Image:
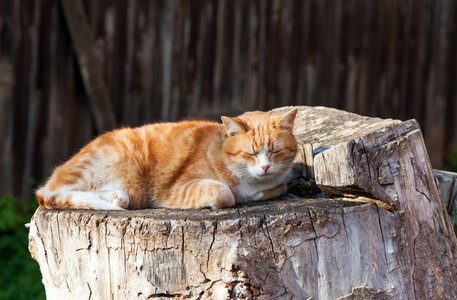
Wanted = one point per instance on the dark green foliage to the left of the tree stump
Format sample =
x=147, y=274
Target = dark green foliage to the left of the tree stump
x=20, y=274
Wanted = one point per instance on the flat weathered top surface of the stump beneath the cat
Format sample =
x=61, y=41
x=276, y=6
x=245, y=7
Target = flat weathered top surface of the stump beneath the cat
x=252, y=209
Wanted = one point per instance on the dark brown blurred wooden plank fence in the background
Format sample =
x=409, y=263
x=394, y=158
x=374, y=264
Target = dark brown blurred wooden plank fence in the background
x=167, y=60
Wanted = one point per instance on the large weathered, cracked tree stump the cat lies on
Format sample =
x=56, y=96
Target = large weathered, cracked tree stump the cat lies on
x=383, y=233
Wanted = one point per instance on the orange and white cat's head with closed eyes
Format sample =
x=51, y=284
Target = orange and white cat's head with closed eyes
x=259, y=146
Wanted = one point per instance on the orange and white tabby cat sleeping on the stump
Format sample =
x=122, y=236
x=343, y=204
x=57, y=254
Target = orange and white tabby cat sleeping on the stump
x=189, y=164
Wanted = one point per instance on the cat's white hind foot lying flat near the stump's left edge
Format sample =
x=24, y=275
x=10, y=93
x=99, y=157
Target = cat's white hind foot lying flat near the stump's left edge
x=64, y=199
